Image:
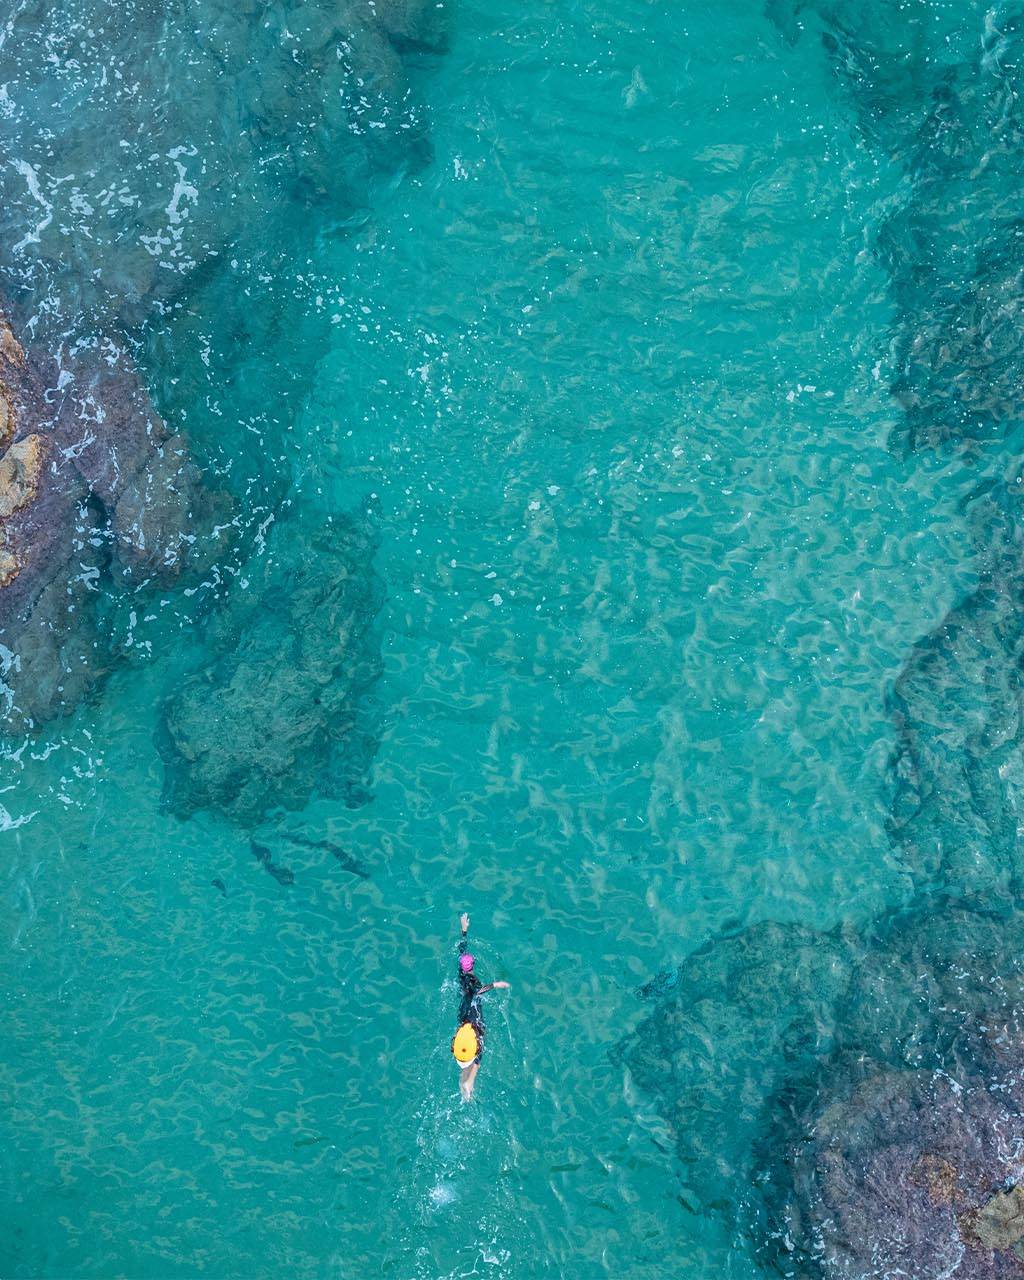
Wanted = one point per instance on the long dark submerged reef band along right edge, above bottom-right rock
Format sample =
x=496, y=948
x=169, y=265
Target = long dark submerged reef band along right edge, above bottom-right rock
x=947, y=117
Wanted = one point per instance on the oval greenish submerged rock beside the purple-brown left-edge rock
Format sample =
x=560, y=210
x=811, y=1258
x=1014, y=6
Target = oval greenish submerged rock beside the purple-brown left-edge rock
x=277, y=714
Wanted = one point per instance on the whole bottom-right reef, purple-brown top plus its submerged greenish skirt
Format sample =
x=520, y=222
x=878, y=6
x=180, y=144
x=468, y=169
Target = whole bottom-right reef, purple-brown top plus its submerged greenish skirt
x=853, y=1101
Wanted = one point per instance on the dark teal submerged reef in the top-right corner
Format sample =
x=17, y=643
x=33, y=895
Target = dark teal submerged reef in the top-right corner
x=941, y=107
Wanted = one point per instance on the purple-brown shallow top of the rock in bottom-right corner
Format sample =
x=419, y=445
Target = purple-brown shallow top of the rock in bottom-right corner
x=898, y=1180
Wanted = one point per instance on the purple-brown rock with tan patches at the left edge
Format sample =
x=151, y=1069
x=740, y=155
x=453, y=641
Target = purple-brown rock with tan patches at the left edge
x=94, y=491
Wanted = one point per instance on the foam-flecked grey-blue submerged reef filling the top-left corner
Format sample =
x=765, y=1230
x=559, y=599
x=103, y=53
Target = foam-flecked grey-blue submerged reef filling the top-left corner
x=294, y=107
